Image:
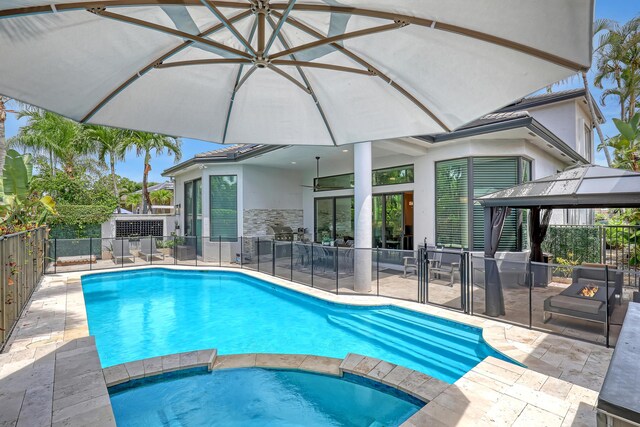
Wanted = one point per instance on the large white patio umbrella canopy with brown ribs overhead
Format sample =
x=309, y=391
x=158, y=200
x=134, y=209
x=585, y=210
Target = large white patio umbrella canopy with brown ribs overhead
x=317, y=72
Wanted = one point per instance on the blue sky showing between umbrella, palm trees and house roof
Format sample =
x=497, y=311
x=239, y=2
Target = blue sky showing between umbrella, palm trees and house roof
x=618, y=10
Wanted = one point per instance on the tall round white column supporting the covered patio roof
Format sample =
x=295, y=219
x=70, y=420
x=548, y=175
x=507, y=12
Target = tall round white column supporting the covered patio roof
x=363, y=214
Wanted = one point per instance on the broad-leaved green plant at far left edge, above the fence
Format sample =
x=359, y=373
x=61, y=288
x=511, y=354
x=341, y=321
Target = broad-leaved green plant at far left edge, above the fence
x=20, y=207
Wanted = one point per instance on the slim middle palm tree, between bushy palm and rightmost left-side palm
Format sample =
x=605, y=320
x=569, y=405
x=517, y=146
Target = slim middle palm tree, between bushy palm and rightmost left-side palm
x=110, y=142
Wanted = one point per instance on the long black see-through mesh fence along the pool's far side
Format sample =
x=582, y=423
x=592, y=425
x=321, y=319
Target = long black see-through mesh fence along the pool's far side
x=587, y=302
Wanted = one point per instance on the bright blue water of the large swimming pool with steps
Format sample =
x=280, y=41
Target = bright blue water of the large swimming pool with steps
x=147, y=313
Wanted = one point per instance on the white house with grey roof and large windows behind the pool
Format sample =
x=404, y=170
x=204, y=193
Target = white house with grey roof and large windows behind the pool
x=421, y=187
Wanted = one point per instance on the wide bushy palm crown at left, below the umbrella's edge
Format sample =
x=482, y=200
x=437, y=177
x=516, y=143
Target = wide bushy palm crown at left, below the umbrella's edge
x=62, y=140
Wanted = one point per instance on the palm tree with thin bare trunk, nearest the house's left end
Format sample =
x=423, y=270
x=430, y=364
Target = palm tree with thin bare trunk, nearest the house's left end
x=145, y=143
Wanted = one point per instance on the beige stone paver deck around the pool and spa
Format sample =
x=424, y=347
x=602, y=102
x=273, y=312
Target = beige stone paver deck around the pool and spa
x=47, y=372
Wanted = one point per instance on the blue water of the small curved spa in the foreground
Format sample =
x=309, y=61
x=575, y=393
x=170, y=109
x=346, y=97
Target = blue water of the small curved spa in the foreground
x=257, y=397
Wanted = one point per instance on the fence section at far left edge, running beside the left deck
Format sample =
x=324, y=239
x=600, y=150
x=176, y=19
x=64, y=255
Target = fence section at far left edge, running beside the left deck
x=24, y=261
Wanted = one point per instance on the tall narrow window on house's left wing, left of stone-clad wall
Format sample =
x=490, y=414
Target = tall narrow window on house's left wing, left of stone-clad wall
x=223, y=202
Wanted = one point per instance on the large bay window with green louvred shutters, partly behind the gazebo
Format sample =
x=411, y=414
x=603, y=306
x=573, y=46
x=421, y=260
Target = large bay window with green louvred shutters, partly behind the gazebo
x=460, y=220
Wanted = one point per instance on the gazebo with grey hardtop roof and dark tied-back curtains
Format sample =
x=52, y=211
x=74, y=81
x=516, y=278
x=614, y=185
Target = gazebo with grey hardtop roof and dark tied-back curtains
x=586, y=186
